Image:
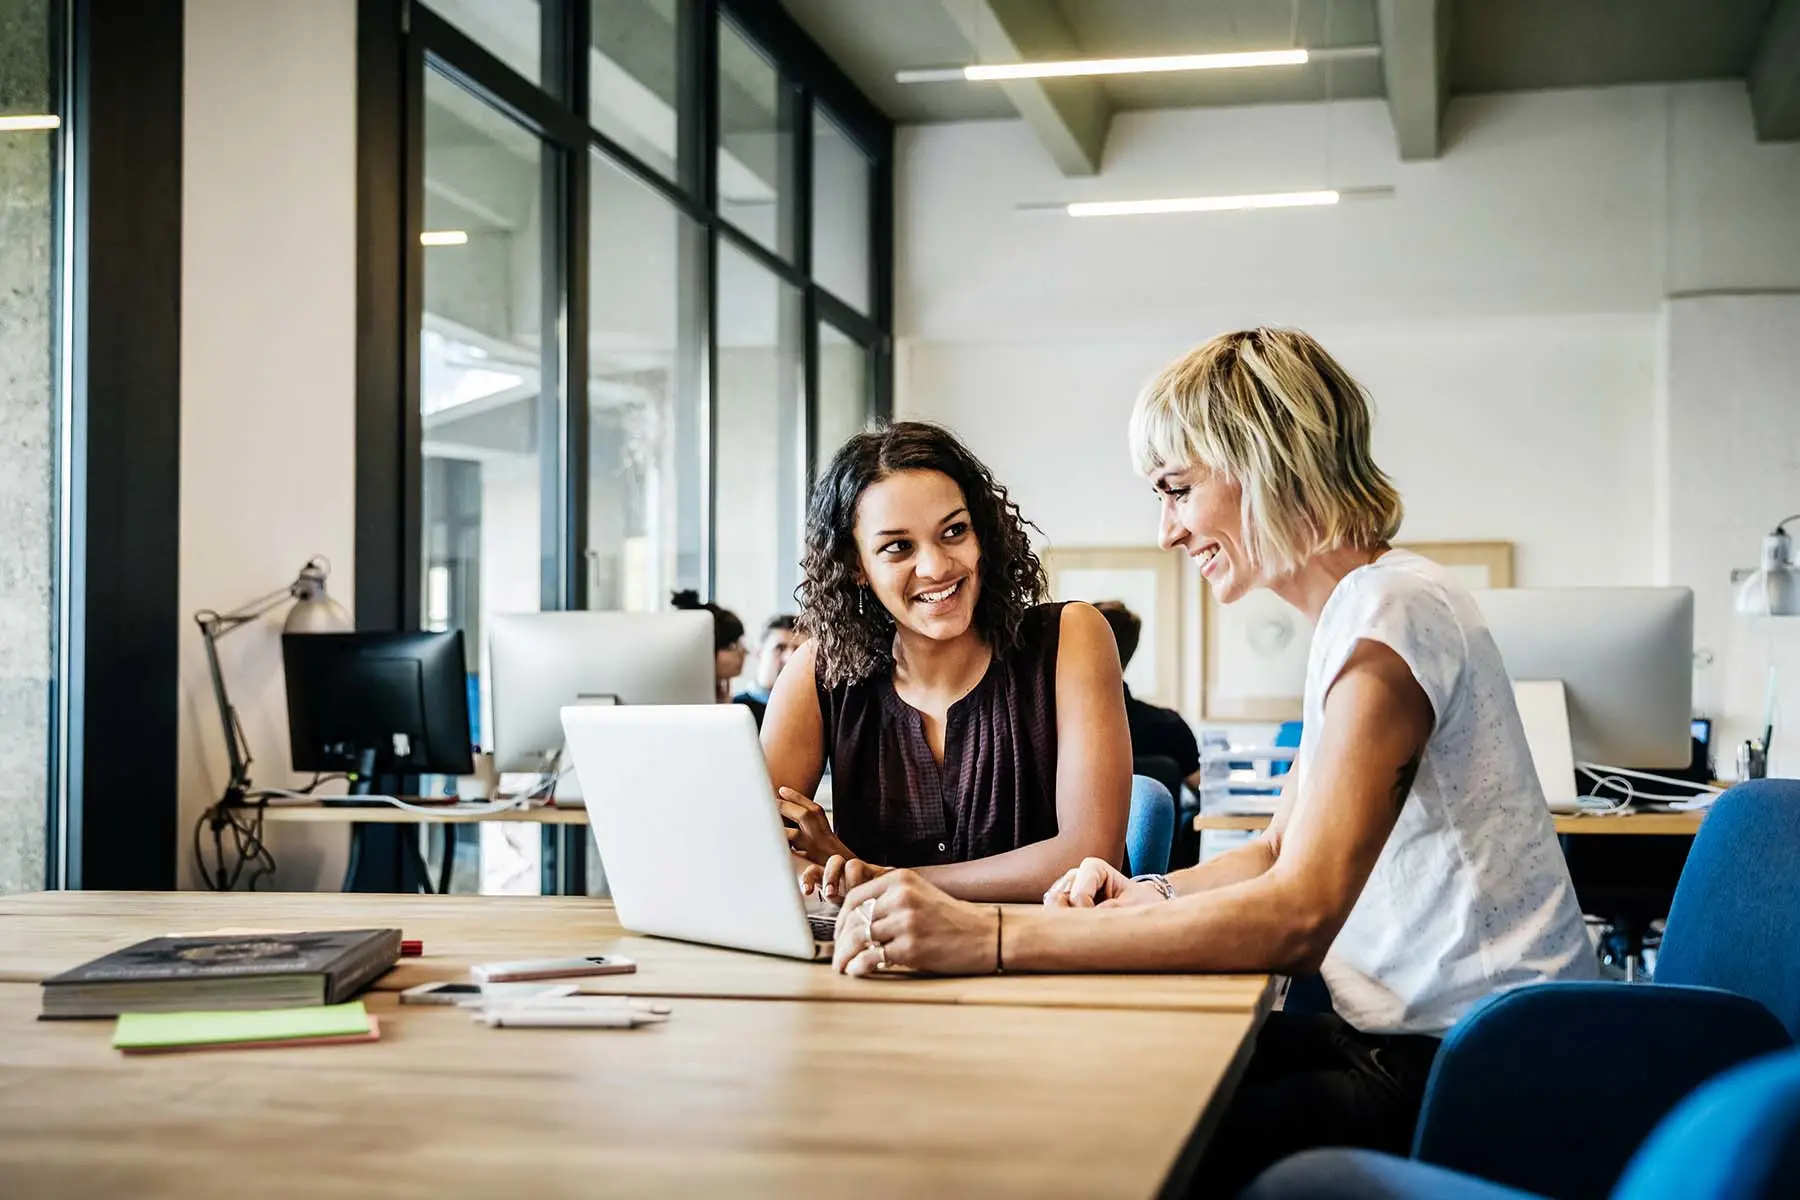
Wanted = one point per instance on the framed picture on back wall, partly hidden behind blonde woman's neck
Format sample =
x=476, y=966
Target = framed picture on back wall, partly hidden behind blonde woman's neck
x=1255, y=652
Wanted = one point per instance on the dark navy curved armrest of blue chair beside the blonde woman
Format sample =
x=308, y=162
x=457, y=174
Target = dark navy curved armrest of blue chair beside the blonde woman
x=1552, y=1088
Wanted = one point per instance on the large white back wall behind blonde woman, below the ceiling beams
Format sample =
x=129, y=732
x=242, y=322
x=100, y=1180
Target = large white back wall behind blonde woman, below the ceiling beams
x=1506, y=307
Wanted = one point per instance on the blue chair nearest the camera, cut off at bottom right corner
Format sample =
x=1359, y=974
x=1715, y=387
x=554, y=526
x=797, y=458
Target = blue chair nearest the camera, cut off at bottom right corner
x=1738, y=1138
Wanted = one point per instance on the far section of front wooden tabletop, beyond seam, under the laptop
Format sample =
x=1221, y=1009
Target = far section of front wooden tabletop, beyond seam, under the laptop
x=49, y=933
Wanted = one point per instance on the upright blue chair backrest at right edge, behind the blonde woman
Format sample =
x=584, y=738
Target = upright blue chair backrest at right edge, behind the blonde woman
x=1736, y=917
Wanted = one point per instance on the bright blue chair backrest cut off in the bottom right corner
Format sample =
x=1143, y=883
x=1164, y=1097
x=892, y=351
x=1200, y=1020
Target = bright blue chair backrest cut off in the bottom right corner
x=1736, y=1138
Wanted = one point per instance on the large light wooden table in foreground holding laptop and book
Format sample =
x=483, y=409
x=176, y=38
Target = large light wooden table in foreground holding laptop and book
x=994, y=1088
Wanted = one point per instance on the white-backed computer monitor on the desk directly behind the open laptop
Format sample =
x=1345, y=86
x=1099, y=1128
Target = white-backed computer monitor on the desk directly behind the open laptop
x=543, y=661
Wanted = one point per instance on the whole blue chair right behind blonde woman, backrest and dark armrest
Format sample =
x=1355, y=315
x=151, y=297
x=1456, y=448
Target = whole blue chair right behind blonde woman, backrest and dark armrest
x=1552, y=1088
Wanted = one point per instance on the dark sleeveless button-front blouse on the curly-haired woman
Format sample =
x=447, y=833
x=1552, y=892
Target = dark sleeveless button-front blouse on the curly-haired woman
x=996, y=789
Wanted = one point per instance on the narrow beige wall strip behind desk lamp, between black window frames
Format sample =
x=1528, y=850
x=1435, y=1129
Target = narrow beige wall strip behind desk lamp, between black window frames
x=269, y=355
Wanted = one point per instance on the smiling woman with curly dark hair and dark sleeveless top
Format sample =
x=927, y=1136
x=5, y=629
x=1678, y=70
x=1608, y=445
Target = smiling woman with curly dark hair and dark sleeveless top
x=973, y=731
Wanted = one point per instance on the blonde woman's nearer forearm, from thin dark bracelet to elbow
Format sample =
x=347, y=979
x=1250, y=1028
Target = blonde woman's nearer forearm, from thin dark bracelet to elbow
x=1252, y=927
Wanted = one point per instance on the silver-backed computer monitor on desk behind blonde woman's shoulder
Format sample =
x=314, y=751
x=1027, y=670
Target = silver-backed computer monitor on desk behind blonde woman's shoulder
x=1626, y=661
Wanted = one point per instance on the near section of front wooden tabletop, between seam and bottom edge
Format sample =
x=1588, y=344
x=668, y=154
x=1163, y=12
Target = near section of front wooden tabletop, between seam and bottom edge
x=730, y=1098
